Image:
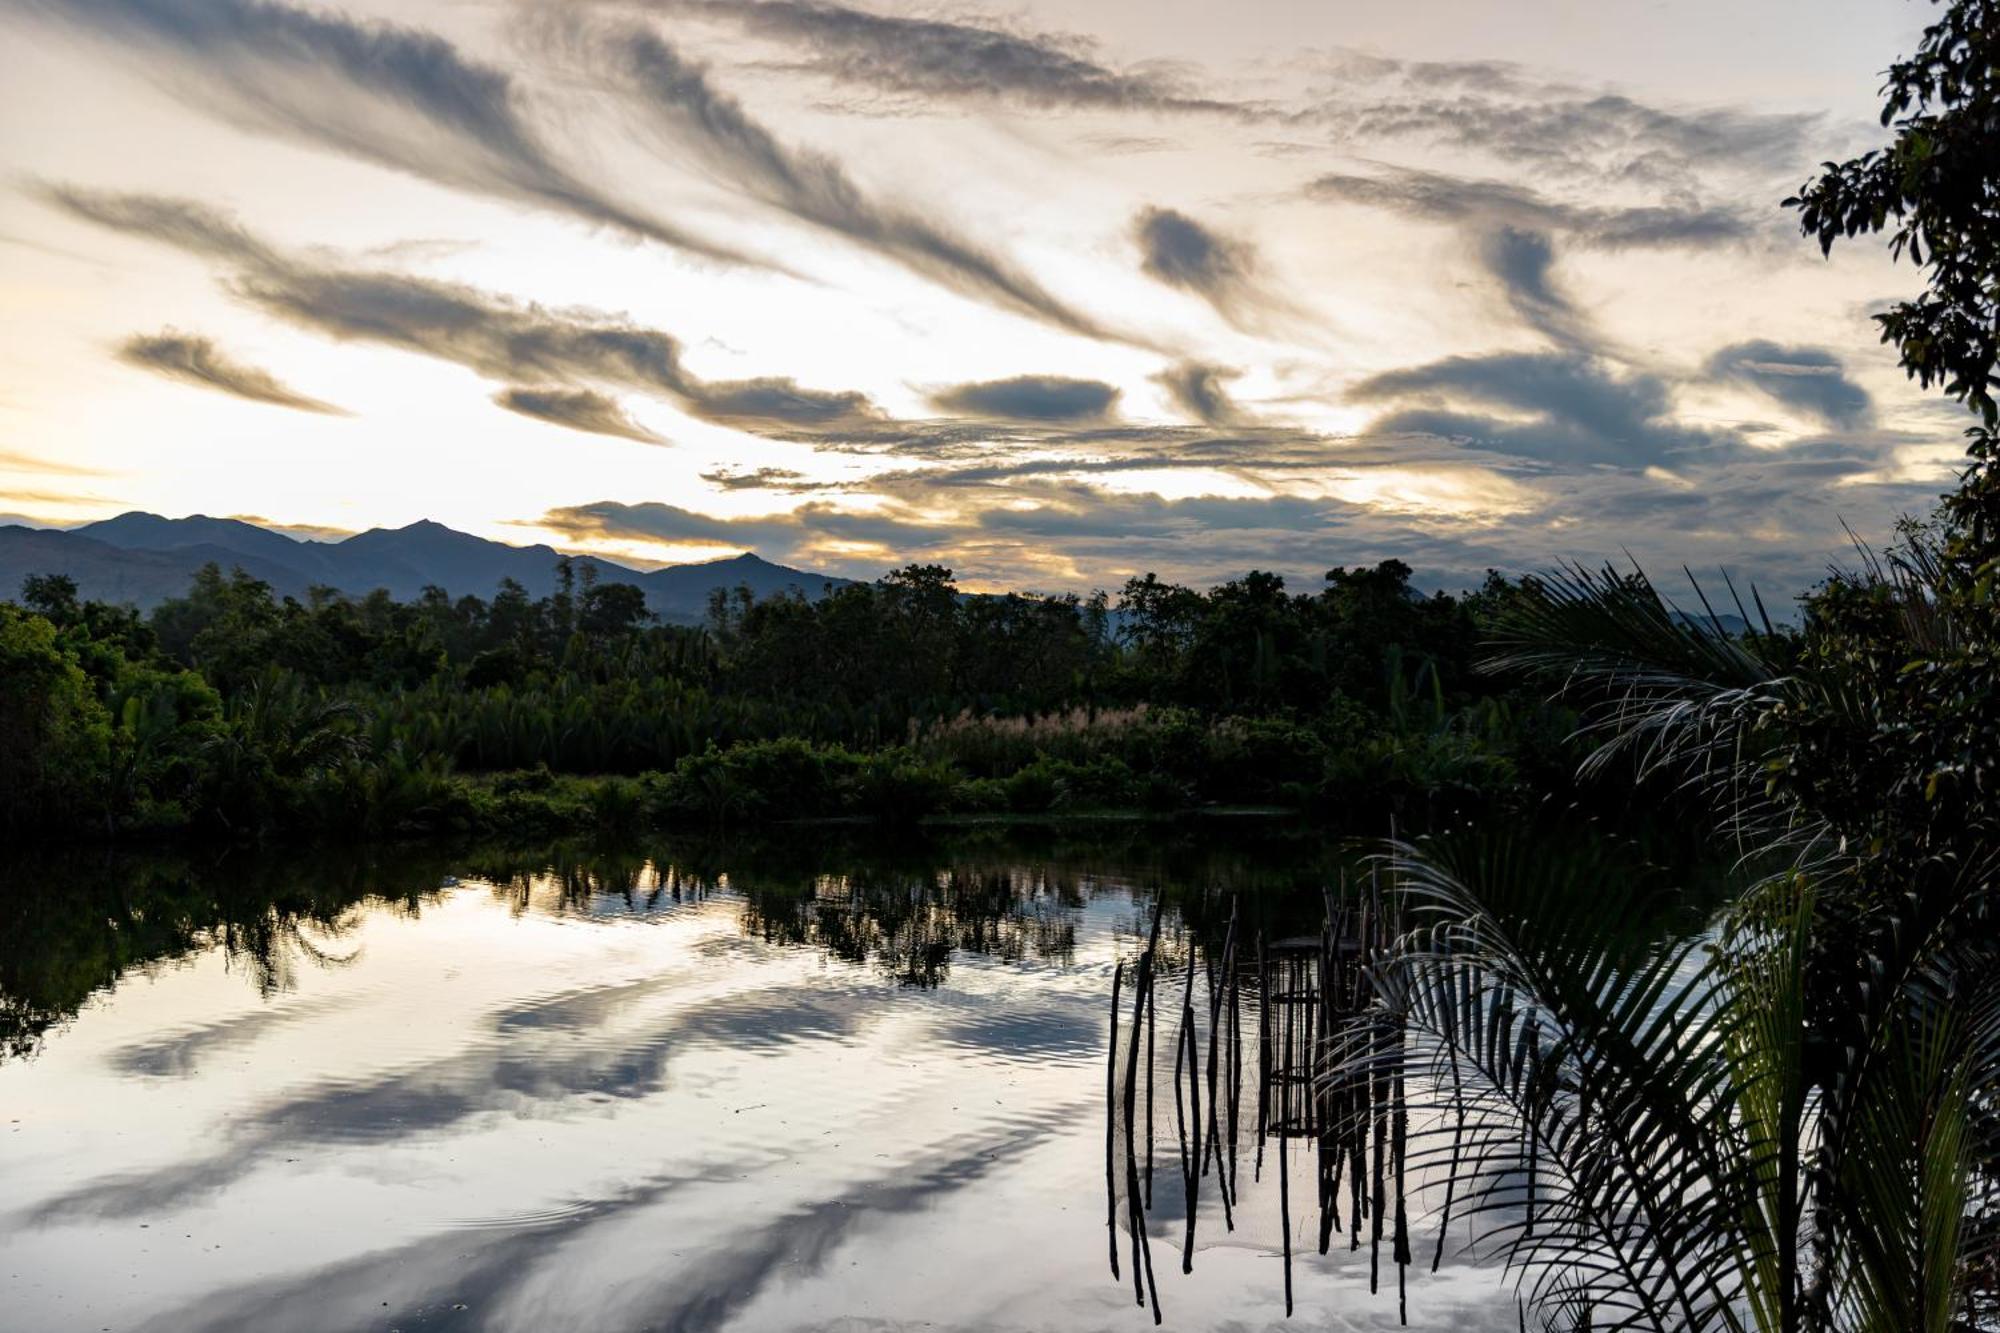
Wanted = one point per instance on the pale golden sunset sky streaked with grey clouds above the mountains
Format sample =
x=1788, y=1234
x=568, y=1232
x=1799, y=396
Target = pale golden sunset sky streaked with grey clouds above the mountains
x=1049, y=293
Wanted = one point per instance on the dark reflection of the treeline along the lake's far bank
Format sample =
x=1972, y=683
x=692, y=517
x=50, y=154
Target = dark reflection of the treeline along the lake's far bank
x=73, y=924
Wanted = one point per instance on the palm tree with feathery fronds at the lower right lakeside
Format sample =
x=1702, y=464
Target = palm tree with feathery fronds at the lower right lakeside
x=1783, y=1120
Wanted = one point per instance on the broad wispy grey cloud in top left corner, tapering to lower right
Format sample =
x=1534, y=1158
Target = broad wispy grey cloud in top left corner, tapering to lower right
x=381, y=93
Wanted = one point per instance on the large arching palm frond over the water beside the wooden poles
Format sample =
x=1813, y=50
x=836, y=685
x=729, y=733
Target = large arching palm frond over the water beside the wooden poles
x=1571, y=1060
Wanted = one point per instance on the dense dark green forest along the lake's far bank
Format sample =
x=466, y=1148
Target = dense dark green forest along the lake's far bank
x=237, y=714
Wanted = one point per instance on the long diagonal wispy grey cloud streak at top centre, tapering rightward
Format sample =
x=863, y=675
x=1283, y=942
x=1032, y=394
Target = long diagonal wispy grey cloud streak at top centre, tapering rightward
x=813, y=187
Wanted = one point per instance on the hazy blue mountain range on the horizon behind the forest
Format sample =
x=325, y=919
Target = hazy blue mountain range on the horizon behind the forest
x=145, y=559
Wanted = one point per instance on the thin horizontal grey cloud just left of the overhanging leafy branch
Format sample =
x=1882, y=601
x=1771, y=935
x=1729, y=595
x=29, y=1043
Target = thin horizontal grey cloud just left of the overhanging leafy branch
x=1491, y=205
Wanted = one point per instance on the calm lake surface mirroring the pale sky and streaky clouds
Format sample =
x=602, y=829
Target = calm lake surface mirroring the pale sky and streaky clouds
x=801, y=1084
